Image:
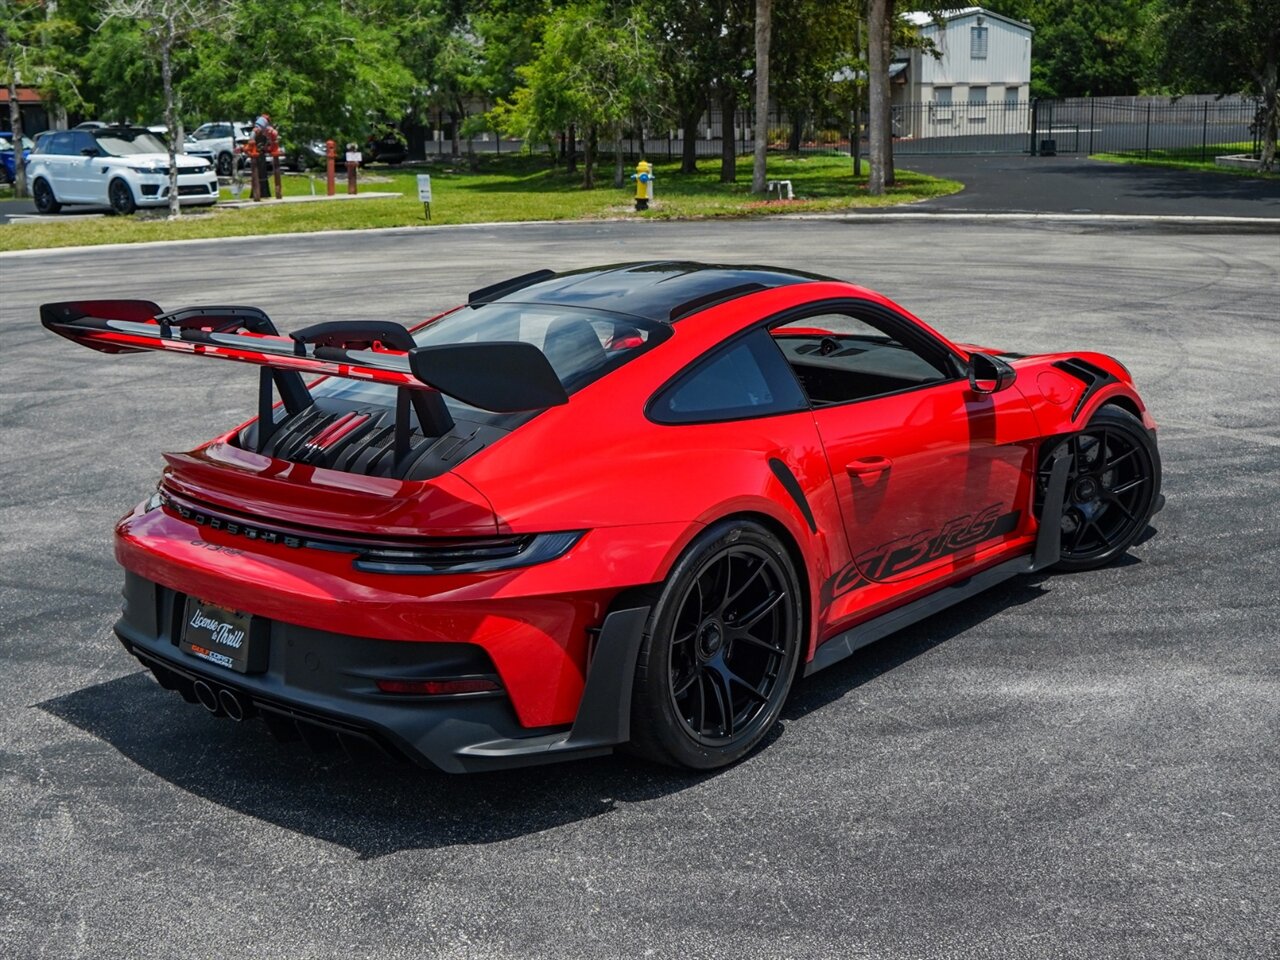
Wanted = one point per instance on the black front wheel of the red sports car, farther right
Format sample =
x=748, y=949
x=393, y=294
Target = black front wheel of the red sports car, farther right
x=1113, y=484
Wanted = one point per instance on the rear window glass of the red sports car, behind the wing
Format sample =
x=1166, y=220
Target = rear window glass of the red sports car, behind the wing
x=582, y=345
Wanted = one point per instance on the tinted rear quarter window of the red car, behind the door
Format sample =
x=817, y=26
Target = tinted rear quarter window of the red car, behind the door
x=744, y=380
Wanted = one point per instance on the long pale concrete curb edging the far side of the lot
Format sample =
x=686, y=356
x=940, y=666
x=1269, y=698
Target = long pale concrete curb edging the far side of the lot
x=1261, y=225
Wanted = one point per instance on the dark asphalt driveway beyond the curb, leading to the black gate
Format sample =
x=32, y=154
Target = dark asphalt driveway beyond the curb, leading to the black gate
x=1069, y=185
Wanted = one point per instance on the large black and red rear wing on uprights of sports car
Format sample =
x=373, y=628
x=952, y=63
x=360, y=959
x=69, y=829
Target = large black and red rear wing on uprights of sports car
x=500, y=377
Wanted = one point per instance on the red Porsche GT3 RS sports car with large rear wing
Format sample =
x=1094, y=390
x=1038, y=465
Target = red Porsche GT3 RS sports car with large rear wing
x=619, y=506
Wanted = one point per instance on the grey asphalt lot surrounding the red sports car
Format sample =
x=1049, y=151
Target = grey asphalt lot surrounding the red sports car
x=1064, y=767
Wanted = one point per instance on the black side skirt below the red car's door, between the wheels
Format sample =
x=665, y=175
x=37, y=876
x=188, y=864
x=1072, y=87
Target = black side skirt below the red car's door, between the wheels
x=1046, y=554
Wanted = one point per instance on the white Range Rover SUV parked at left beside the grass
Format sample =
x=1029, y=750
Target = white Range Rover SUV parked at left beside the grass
x=126, y=167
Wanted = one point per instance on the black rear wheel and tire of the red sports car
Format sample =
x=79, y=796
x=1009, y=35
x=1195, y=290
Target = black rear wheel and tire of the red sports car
x=720, y=652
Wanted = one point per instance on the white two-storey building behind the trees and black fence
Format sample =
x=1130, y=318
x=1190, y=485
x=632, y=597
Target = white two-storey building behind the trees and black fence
x=980, y=85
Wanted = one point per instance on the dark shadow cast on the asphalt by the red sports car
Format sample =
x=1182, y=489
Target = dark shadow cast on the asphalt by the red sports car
x=377, y=808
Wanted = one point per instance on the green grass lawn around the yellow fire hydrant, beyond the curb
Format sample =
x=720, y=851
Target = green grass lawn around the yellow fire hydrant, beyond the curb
x=499, y=189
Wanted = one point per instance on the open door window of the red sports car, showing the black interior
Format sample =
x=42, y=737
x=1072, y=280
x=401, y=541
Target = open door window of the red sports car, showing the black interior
x=849, y=356
